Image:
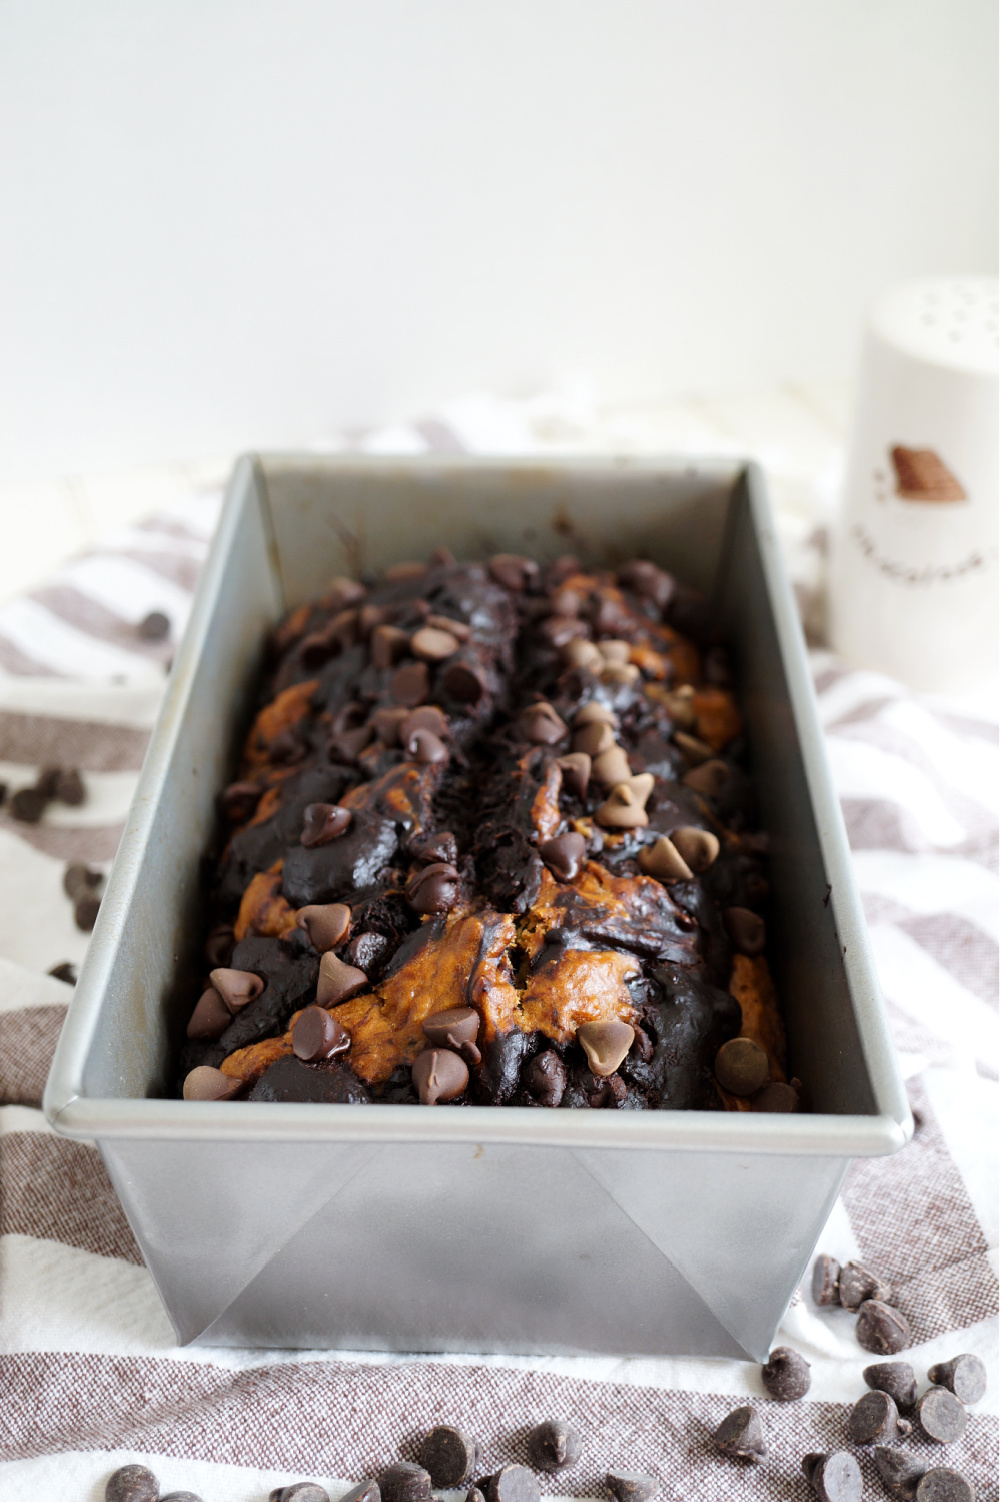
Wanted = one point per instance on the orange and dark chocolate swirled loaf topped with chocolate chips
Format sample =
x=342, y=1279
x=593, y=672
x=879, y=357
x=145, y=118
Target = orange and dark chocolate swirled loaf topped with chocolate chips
x=493, y=842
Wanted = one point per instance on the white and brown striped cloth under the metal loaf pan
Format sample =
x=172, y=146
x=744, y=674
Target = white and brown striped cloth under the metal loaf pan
x=89, y=1371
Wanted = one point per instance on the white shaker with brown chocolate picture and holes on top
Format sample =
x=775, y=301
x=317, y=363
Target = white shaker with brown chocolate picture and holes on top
x=914, y=566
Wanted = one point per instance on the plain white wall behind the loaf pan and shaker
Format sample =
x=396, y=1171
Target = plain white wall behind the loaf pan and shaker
x=255, y=222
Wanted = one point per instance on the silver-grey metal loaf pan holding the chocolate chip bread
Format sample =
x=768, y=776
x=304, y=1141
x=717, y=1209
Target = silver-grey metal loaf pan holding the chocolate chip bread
x=481, y=1229
